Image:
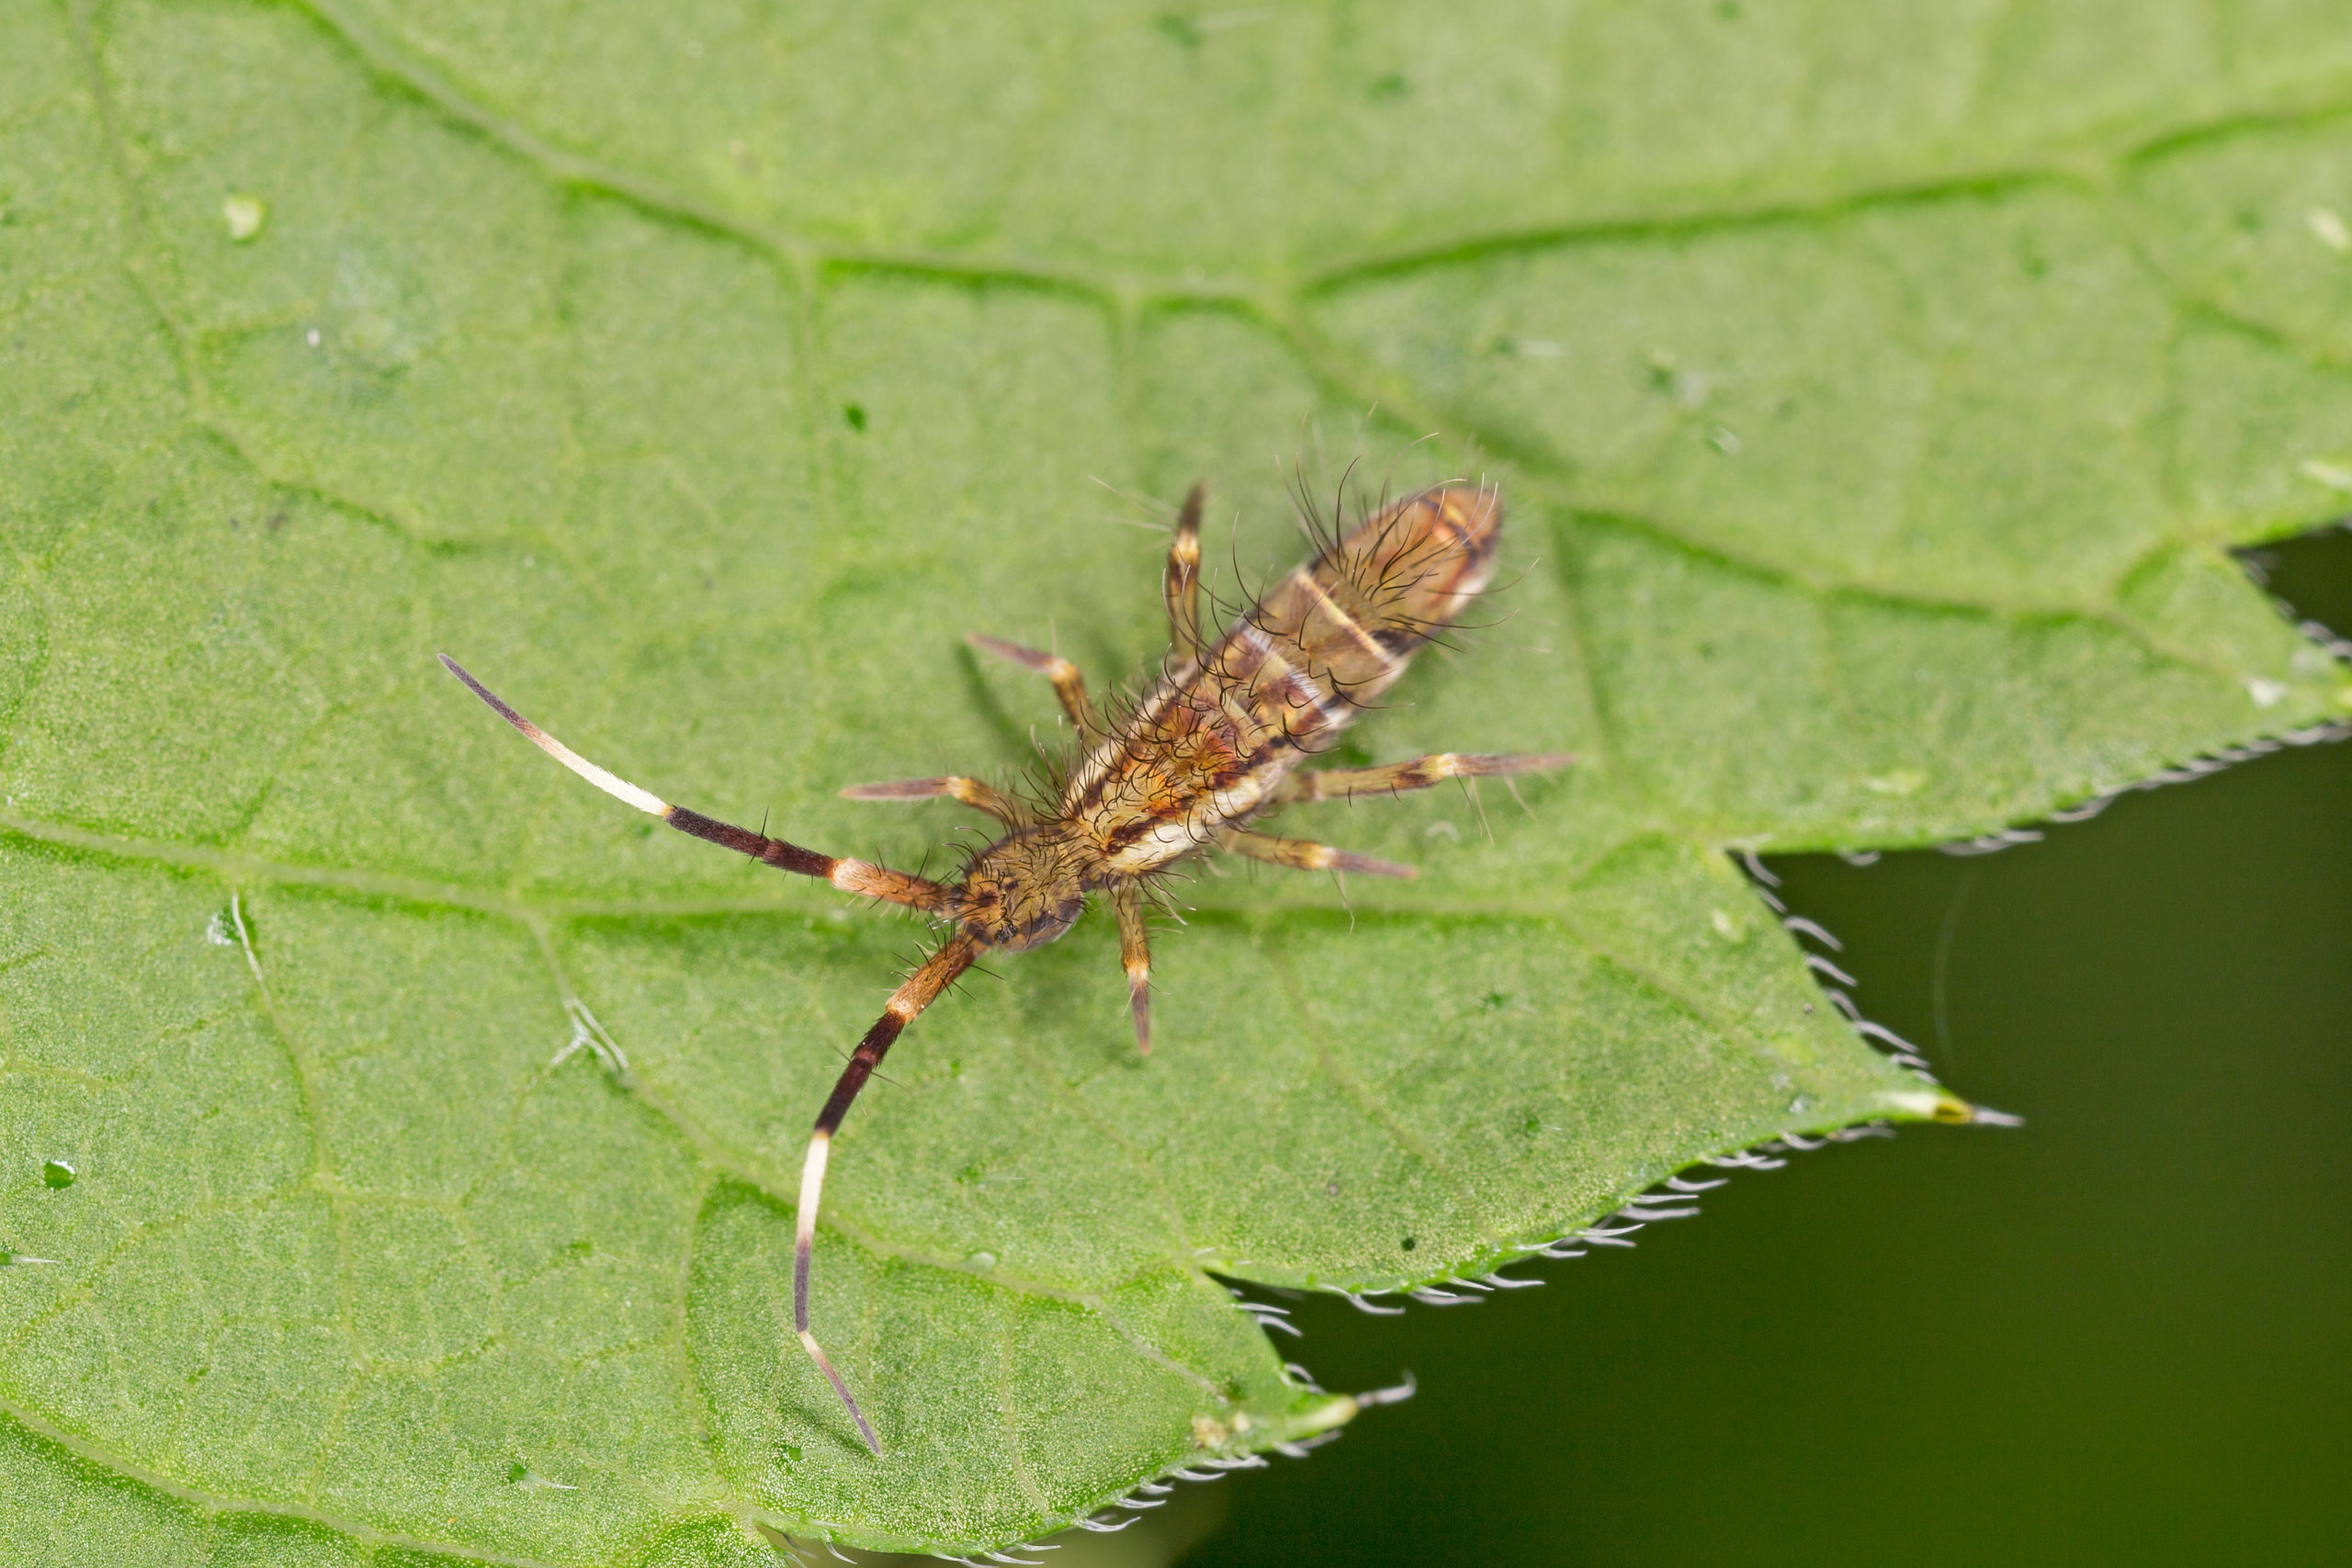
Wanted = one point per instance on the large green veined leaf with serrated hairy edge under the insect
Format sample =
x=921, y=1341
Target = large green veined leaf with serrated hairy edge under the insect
x=1876, y=398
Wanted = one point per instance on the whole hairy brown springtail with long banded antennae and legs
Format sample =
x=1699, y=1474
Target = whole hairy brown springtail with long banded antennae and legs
x=1187, y=765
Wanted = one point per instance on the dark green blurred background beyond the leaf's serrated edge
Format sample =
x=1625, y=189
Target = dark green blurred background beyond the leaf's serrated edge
x=2118, y=1334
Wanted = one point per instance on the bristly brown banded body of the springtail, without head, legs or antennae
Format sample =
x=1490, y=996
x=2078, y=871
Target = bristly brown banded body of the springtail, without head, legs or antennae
x=1215, y=742
